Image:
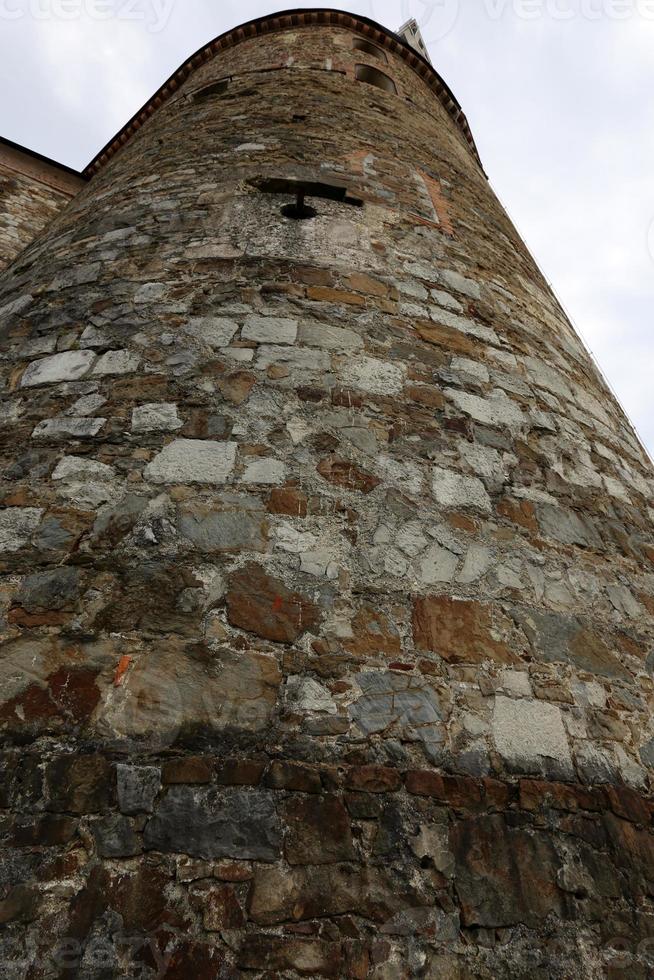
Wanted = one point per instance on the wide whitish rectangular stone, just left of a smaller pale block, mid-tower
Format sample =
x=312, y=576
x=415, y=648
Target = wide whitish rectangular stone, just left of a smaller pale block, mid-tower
x=193, y=461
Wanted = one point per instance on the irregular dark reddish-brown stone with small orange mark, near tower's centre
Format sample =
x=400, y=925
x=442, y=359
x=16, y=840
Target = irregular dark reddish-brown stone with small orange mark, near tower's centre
x=261, y=604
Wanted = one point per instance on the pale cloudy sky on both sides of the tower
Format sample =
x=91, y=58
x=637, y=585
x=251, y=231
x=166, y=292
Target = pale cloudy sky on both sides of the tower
x=558, y=94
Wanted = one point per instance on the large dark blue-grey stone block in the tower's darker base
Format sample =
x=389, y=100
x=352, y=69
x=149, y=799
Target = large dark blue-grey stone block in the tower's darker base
x=211, y=824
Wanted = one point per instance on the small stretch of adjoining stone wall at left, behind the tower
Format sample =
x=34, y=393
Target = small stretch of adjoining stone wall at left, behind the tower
x=32, y=192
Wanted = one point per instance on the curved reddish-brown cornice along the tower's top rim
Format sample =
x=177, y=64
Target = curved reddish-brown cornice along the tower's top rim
x=283, y=21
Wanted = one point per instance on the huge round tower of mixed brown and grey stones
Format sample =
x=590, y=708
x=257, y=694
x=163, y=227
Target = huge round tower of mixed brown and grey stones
x=327, y=592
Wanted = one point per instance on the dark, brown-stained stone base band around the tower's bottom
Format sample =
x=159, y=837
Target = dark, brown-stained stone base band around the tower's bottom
x=211, y=866
